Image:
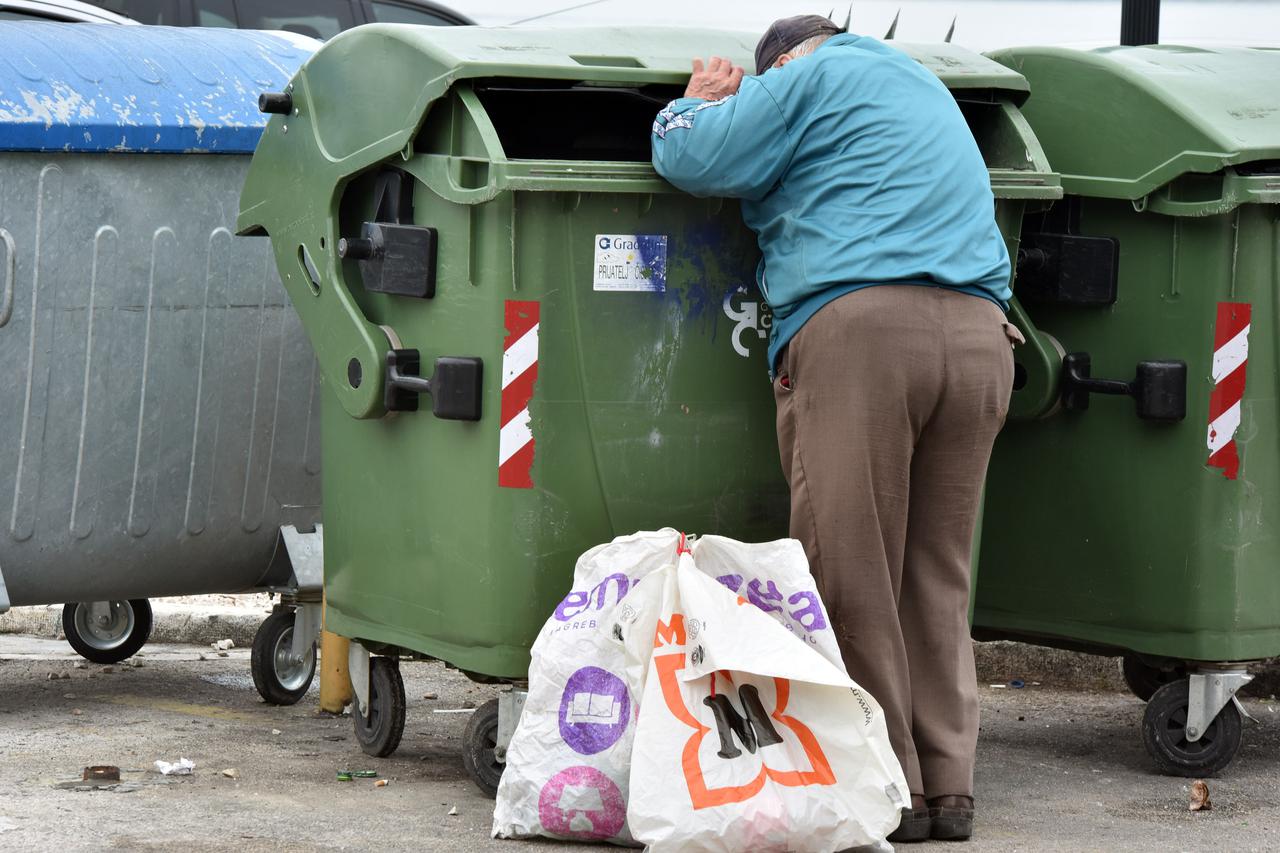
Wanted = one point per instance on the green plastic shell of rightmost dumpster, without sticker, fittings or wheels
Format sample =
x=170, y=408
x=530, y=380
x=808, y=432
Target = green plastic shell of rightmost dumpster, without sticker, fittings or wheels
x=1104, y=532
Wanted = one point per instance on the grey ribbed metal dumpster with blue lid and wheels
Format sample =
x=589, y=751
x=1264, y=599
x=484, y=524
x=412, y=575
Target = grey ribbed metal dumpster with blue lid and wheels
x=159, y=400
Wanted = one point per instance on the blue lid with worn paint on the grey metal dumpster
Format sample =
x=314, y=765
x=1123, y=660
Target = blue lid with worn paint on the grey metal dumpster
x=100, y=88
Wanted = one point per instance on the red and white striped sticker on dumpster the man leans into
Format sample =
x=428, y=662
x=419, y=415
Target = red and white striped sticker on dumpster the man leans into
x=519, y=376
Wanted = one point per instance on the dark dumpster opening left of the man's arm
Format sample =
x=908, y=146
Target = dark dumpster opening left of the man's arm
x=584, y=122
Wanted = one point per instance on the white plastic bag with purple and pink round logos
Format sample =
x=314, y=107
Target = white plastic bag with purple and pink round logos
x=570, y=759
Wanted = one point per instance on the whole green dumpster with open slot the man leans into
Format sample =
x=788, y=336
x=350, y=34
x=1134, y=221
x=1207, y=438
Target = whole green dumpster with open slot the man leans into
x=529, y=343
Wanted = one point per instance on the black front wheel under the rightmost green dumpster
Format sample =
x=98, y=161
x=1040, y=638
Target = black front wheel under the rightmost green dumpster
x=1164, y=733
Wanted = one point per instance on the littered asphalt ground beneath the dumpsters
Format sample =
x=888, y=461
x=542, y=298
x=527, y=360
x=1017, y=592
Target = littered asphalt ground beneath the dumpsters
x=1058, y=769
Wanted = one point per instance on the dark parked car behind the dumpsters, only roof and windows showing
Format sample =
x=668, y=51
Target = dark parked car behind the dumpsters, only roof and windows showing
x=316, y=19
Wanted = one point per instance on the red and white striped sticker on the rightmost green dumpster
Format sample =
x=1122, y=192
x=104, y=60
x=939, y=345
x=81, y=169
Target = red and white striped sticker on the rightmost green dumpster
x=1231, y=359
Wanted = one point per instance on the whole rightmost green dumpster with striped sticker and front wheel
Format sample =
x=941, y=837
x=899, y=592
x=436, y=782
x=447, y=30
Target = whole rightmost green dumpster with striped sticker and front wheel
x=1146, y=528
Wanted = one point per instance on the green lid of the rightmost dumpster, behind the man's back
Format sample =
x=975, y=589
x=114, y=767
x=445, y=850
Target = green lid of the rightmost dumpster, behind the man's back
x=1123, y=122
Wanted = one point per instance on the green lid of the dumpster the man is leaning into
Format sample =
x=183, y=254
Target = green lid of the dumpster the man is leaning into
x=400, y=71
